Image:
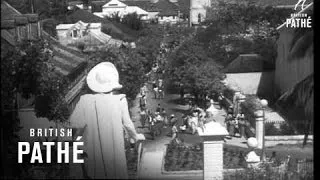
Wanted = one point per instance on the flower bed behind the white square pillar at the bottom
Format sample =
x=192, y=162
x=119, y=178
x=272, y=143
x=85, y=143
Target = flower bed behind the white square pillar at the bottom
x=186, y=158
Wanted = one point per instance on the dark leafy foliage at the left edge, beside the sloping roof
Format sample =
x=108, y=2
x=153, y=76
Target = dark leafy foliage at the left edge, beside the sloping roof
x=28, y=71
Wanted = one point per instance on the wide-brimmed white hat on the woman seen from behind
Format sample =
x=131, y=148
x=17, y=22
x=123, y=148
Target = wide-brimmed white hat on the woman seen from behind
x=103, y=78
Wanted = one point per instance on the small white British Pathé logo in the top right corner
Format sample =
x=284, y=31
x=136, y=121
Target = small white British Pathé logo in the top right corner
x=299, y=20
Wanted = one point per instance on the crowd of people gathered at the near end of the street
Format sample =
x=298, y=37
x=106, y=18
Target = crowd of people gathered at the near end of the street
x=195, y=118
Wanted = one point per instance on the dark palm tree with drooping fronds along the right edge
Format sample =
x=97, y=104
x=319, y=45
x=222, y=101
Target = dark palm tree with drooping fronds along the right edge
x=302, y=93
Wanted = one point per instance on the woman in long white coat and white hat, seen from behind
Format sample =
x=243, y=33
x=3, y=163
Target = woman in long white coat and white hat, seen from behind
x=104, y=114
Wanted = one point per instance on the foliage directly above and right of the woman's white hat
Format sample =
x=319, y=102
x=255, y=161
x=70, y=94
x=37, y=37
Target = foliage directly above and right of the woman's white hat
x=130, y=66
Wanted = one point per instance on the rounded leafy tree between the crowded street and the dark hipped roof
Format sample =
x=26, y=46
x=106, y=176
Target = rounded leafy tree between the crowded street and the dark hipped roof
x=191, y=66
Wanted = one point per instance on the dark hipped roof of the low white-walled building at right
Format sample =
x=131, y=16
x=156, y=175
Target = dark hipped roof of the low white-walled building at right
x=245, y=63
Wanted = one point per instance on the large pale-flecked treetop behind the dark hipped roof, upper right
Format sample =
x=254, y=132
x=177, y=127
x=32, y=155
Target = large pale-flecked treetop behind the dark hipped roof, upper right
x=242, y=28
